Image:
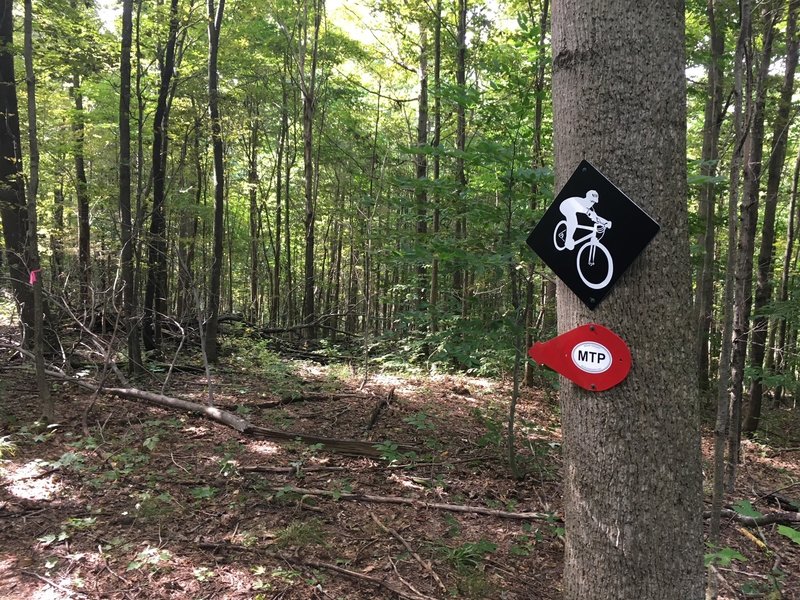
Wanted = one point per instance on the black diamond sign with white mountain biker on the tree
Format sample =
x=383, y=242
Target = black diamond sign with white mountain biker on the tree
x=591, y=234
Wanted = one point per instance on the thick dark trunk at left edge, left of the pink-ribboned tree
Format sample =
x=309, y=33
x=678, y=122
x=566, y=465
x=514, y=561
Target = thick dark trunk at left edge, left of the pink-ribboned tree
x=13, y=210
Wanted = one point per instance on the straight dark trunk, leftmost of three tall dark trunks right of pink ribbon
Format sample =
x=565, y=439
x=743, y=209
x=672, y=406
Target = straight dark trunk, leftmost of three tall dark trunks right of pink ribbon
x=126, y=222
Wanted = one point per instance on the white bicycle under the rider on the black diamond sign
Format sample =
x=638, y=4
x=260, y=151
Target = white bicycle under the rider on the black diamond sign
x=595, y=270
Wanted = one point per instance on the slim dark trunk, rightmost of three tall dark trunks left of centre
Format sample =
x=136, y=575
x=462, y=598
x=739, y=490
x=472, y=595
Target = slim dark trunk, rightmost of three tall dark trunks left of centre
x=214, y=26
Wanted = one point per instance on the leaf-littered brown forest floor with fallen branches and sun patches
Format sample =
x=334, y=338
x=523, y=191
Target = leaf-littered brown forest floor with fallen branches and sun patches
x=158, y=504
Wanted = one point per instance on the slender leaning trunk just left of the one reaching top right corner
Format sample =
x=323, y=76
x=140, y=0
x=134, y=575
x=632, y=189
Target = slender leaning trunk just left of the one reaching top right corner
x=748, y=219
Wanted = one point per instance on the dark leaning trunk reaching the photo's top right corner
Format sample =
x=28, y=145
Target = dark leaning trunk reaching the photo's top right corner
x=777, y=159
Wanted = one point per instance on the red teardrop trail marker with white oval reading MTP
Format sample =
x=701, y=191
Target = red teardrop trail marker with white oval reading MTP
x=591, y=356
